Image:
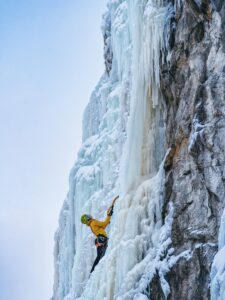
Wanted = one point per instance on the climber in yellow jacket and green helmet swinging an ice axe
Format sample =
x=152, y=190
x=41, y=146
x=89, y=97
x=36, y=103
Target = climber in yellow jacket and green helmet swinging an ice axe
x=98, y=228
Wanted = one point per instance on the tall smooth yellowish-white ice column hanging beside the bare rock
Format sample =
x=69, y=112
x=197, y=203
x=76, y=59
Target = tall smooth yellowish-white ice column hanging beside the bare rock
x=144, y=148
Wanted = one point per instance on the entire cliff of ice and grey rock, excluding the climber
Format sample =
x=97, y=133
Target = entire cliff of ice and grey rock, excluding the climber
x=153, y=132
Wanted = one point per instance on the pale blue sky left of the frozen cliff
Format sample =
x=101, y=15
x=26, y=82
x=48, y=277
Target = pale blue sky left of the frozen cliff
x=50, y=61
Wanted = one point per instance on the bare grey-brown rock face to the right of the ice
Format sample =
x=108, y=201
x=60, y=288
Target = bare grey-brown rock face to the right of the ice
x=193, y=83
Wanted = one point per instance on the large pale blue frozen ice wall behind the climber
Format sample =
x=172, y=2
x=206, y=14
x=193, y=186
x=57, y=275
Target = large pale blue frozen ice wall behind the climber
x=122, y=153
